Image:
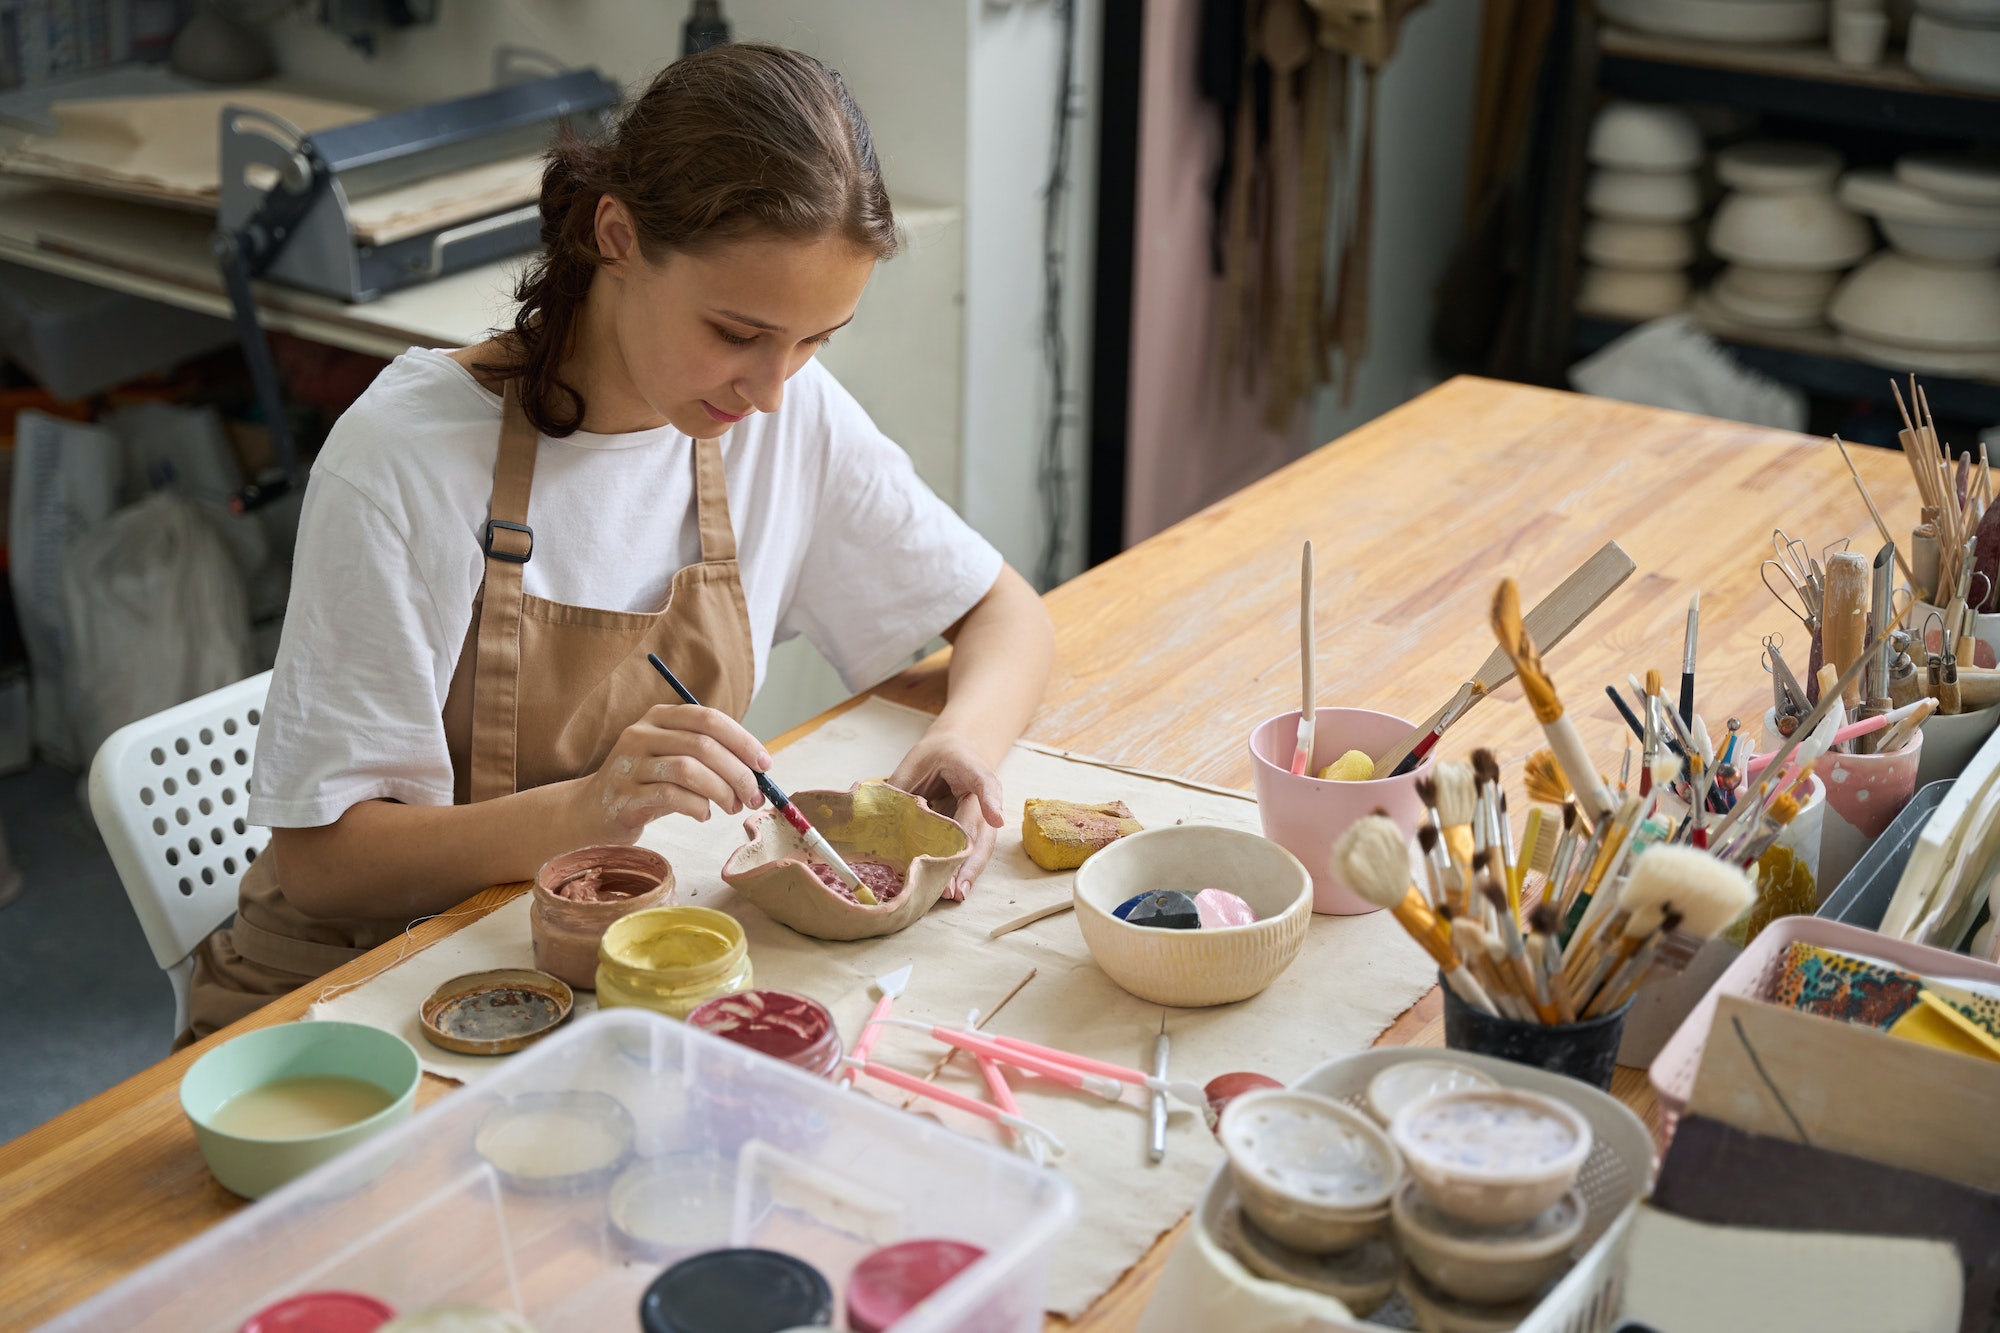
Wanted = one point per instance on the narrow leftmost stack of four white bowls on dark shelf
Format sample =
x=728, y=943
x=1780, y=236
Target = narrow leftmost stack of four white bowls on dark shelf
x=1643, y=201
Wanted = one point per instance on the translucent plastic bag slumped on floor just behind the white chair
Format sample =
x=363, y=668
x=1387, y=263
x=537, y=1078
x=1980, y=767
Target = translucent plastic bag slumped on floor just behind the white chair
x=157, y=615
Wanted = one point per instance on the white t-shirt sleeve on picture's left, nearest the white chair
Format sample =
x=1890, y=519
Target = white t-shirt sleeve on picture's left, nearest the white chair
x=355, y=710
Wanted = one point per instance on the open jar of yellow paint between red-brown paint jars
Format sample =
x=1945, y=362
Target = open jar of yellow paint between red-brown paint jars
x=671, y=960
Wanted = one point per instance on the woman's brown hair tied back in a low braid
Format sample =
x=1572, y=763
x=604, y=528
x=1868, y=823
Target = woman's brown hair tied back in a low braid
x=735, y=141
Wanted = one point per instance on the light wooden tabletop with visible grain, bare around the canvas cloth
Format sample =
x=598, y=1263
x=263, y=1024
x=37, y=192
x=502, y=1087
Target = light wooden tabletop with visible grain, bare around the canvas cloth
x=1167, y=659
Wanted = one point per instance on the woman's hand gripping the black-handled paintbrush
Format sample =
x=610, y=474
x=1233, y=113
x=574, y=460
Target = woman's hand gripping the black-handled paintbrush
x=679, y=760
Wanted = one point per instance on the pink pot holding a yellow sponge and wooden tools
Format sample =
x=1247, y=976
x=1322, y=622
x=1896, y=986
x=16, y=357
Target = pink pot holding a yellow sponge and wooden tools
x=1307, y=816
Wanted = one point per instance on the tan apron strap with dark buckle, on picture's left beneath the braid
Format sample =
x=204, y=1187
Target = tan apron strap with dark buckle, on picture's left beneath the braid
x=509, y=545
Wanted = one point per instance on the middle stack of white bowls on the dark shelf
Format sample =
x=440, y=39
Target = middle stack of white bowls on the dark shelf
x=1783, y=233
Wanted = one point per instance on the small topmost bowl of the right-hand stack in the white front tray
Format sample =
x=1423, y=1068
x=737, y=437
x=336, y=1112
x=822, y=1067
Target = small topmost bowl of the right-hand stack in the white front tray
x=1493, y=1156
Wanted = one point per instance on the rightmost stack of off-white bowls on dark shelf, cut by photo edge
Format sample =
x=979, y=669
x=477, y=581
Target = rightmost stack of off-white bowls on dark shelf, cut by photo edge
x=1931, y=303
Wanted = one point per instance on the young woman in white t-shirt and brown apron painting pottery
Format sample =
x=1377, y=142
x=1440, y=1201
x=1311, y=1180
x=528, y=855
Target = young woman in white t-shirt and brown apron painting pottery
x=649, y=461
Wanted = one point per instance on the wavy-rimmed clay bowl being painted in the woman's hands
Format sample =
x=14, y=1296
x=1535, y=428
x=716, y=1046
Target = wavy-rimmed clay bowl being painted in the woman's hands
x=871, y=822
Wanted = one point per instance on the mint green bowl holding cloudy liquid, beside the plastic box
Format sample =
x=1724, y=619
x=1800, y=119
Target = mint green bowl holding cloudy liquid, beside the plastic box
x=253, y=1168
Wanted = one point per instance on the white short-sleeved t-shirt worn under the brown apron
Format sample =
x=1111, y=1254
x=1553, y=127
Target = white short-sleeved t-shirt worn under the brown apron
x=837, y=539
